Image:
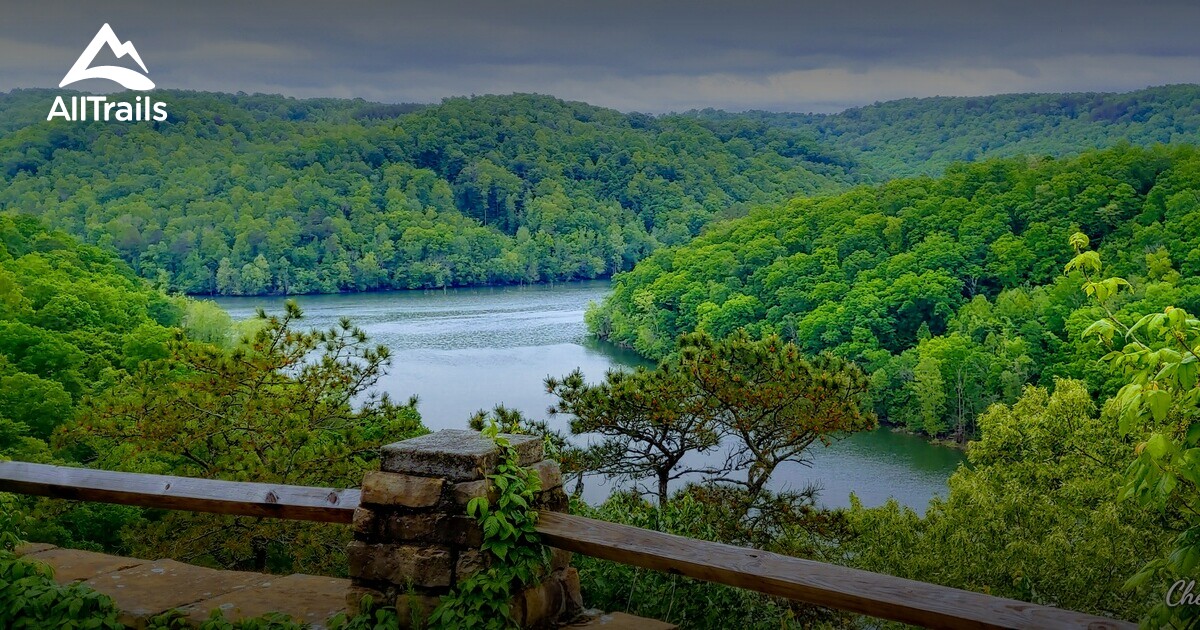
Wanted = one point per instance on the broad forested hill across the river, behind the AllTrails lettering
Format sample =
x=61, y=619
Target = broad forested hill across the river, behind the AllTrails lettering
x=250, y=195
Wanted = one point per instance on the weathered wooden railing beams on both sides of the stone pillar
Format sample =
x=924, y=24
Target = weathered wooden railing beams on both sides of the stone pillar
x=820, y=584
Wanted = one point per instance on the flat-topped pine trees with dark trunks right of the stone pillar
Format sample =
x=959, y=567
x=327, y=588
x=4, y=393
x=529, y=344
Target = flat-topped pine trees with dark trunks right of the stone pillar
x=760, y=399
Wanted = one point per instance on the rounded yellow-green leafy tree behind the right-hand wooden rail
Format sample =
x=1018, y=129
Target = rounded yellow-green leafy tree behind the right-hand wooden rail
x=1035, y=517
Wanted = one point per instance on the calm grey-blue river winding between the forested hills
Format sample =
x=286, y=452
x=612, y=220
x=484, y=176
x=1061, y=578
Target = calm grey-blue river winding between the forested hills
x=460, y=351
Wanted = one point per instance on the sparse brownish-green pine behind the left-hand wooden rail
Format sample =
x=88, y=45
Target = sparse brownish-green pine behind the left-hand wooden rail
x=285, y=406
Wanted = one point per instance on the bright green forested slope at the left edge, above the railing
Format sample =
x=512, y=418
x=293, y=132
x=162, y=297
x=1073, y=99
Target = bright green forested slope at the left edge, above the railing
x=74, y=321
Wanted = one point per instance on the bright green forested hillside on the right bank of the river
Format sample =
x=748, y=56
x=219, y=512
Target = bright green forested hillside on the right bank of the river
x=950, y=291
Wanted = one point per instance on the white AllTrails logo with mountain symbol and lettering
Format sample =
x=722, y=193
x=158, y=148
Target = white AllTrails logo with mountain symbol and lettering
x=141, y=110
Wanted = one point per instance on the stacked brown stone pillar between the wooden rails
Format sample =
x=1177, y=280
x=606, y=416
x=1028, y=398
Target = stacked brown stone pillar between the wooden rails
x=413, y=539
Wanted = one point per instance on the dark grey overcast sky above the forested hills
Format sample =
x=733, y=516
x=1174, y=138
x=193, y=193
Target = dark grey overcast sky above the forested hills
x=633, y=56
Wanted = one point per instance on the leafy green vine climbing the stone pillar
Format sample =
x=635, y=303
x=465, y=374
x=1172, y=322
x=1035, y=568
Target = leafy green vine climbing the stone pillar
x=513, y=556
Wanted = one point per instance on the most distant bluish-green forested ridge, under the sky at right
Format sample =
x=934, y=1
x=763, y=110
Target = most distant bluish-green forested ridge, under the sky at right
x=925, y=136
